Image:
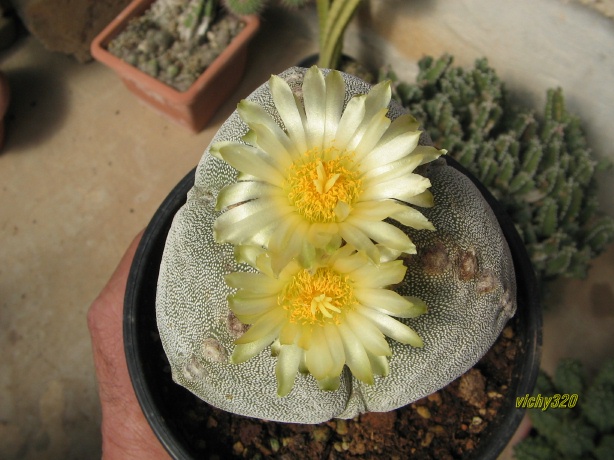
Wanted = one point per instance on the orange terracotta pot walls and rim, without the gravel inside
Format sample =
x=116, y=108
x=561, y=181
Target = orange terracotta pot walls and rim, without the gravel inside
x=192, y=108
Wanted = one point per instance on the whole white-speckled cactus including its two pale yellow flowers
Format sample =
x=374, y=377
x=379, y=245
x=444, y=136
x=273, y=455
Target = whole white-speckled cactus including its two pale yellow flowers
x=326, y=263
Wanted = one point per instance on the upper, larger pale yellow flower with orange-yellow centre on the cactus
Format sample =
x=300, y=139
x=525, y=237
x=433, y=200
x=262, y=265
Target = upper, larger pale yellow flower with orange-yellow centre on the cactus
x=319, y=173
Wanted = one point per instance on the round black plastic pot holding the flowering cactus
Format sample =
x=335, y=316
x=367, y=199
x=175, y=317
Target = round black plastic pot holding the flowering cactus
x=159, y=396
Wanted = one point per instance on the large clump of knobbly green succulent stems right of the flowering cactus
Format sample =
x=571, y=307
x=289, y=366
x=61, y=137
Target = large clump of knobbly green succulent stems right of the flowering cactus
x=539, y=167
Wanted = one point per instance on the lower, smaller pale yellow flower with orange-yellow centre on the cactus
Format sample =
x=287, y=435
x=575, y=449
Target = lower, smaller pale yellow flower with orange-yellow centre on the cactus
x=338, y=312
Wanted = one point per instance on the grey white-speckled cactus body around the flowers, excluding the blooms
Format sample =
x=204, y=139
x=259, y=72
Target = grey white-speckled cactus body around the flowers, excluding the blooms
x=463, y=271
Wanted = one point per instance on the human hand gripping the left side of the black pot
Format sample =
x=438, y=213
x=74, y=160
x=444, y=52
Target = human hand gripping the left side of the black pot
x=125, y=431
